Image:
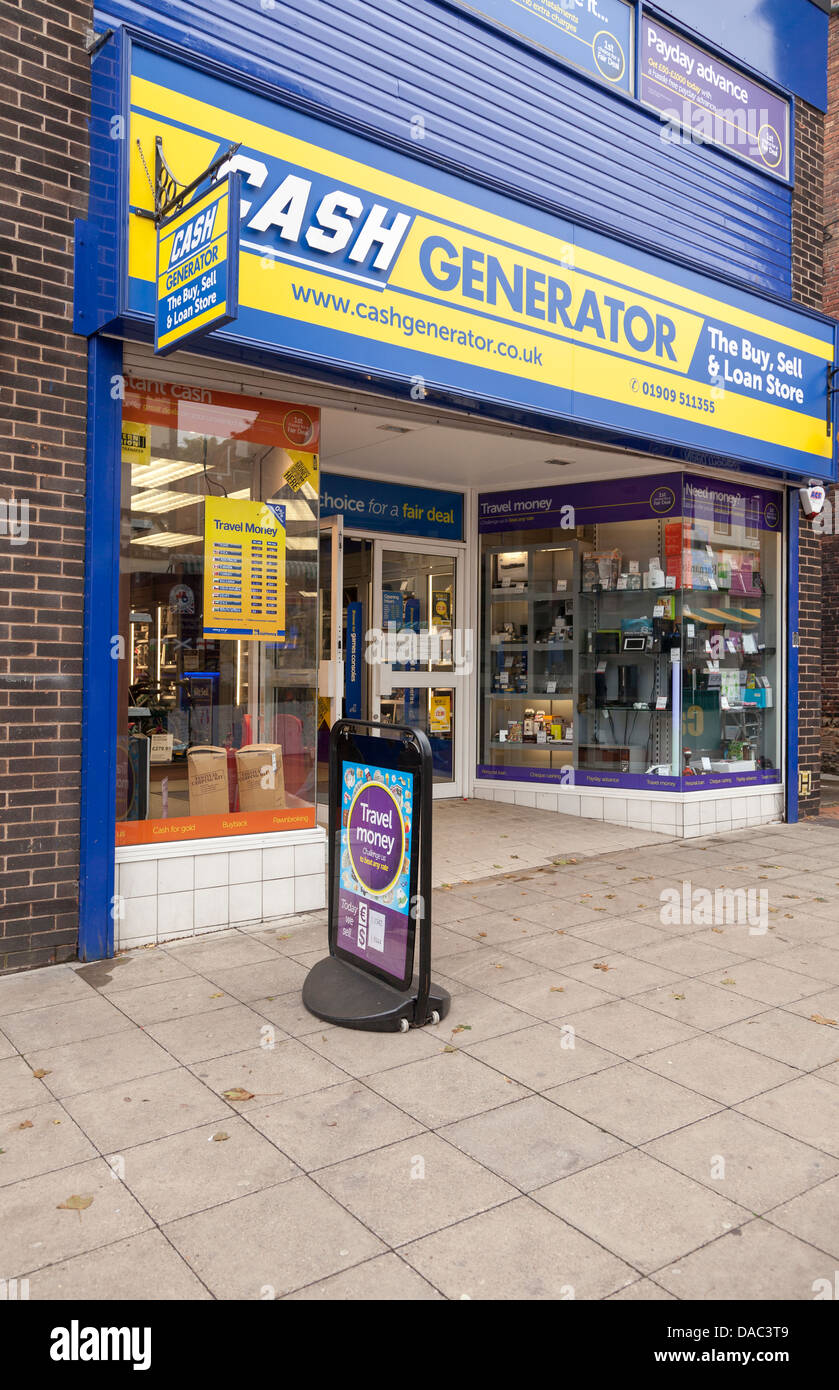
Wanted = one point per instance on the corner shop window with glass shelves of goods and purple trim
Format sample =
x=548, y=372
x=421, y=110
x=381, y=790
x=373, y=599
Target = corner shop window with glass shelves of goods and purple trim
x=638, y=653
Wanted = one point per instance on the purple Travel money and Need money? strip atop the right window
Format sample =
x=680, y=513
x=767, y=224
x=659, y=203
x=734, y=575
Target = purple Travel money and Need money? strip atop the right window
x=631, y=500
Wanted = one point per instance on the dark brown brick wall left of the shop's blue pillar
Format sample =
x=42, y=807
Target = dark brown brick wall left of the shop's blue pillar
x=45, y=80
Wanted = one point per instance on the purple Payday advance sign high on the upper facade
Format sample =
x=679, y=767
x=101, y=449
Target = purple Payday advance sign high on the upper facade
x=697, y=92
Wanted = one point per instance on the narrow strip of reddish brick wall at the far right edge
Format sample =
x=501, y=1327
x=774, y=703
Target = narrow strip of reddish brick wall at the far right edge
x=830, y=544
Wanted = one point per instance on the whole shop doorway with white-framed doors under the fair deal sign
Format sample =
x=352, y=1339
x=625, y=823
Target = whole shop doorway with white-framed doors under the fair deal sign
x=391, y=622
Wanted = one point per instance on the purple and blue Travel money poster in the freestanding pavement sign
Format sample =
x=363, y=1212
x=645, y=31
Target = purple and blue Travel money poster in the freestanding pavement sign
x=376, y=867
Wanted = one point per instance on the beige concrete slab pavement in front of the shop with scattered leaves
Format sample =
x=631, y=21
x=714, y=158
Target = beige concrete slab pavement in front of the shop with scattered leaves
x=617, y=1107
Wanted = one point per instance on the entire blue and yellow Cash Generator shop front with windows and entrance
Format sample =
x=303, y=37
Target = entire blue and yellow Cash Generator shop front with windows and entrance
x=447, y=459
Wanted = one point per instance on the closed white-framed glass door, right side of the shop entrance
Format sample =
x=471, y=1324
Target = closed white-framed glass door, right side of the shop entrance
x=422, y=676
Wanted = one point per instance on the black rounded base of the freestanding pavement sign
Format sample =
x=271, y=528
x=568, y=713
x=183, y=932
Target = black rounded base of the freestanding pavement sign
x=338, y=993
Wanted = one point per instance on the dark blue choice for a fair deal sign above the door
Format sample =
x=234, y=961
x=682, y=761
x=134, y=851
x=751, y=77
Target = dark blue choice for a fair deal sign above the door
x=392, y=507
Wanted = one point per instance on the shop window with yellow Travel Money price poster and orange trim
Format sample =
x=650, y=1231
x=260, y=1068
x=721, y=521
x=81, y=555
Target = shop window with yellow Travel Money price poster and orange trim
x=217, y=615
